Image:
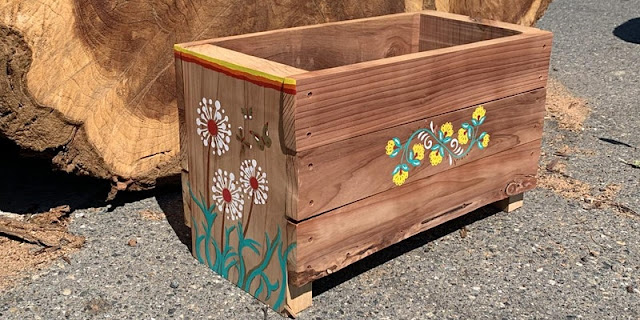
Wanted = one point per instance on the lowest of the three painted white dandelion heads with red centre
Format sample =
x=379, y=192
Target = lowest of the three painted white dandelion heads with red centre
x=227, y=194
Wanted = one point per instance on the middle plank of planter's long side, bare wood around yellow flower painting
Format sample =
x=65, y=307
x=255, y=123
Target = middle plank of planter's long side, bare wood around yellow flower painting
x=337, y=174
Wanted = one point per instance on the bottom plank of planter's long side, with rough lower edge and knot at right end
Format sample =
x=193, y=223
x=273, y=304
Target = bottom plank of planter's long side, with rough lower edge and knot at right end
x=336, y=239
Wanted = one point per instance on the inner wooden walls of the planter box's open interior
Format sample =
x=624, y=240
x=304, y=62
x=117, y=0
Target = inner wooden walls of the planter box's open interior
x=328, y=46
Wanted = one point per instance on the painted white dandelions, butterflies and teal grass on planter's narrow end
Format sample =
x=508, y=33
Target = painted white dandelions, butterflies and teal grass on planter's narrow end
x=230, y=191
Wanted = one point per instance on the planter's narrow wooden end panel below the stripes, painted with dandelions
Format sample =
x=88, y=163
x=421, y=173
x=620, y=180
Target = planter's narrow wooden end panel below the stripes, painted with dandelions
x=211, y=168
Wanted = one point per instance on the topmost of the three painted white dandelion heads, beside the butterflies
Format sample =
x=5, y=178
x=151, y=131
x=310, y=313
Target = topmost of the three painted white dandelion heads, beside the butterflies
x=213, y=128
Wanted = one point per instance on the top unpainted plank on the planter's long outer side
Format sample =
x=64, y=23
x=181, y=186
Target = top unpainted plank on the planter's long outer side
x=345, y=102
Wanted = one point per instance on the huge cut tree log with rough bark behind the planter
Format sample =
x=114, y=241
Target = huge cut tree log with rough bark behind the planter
x=93, y=82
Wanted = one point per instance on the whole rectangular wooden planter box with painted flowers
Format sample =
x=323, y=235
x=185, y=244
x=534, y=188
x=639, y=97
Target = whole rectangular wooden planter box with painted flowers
x=308, y=149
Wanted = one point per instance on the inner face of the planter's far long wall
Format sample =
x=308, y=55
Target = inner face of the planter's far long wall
x=332, y=44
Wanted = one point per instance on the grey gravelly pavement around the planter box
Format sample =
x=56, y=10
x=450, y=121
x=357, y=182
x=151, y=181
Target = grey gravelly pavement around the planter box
x=551, y=259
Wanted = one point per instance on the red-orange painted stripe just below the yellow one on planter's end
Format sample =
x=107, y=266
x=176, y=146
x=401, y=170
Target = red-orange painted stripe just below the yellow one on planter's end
x=255, y=79
